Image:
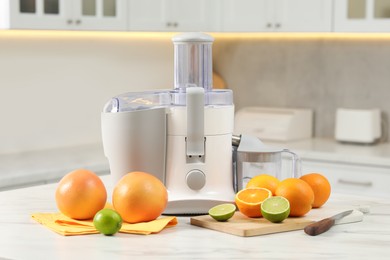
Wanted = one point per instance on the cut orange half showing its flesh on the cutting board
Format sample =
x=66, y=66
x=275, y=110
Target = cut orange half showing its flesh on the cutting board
x=249, y=201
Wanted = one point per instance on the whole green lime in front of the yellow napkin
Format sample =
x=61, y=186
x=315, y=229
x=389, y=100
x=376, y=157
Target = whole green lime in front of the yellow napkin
x=107, y=221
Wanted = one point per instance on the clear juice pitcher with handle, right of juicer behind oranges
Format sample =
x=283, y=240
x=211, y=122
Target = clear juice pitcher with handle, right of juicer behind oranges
x=253, y=158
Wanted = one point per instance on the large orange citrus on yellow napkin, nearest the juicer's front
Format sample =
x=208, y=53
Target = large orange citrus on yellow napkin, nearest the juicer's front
x=139, y=197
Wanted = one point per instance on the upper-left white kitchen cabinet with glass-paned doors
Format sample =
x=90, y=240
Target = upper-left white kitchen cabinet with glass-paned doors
x=63, y=14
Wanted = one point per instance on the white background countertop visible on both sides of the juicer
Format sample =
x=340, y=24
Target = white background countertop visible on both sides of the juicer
x=39, y=167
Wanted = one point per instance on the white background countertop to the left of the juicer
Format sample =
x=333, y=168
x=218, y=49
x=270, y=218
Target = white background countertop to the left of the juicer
x=39, y=167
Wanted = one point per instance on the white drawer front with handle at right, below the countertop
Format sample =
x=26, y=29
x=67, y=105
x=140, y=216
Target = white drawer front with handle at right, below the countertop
x=365, y=180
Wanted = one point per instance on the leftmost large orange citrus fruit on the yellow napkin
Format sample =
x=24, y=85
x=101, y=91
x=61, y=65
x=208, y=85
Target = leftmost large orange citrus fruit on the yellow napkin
x=80, y=194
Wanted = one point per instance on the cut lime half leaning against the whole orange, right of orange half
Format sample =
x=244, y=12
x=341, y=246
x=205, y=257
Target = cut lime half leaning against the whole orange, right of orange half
x=275, y=209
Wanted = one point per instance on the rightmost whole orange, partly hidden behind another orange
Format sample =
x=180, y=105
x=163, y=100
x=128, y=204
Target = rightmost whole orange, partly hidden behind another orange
x=321, y=188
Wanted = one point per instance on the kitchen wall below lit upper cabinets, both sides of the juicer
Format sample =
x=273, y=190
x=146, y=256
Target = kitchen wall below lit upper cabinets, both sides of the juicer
x=54, y=84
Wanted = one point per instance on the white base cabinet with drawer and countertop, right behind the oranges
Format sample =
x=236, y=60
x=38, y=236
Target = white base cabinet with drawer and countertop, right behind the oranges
x=354, y=169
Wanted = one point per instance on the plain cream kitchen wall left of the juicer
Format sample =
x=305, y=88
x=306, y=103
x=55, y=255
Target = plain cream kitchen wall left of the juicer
x=54, y=84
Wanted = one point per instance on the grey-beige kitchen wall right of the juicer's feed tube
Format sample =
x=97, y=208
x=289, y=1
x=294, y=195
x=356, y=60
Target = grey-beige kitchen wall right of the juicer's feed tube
x=317, y=72
